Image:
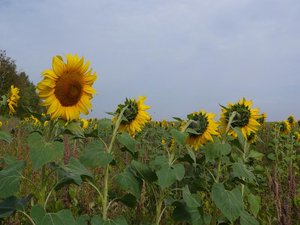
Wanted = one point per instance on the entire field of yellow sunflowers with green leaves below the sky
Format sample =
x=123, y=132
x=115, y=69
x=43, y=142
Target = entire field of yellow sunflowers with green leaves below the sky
x=57, y=168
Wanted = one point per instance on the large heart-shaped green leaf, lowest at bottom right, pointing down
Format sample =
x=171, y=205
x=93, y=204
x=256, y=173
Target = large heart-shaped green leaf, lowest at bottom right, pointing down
x=229, y=202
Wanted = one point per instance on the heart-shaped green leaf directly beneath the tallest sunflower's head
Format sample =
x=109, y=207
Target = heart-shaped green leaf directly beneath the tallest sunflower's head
x=42, y=152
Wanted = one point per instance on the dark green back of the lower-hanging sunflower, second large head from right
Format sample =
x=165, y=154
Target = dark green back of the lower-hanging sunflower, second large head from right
x=198, y=125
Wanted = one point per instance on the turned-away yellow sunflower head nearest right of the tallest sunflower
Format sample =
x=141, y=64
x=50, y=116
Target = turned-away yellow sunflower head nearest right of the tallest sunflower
x=134, y=117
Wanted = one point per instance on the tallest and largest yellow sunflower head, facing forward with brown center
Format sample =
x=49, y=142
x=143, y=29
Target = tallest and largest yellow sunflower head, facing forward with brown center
x=67, y=88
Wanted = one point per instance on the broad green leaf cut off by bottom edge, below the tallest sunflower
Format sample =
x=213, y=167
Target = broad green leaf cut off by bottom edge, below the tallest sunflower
x=63, y=217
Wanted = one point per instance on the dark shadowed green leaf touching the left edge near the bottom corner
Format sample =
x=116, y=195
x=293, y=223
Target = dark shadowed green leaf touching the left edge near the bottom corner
x=11, y=204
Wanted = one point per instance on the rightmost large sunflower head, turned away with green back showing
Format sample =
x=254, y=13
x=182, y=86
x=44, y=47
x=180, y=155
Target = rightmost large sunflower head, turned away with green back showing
x=245, y=119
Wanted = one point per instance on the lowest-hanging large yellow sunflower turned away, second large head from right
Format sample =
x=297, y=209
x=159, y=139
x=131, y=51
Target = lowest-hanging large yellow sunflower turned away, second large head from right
x=200, y=129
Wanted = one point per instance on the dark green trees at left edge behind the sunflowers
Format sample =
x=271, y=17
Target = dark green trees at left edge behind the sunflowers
x=10, y=76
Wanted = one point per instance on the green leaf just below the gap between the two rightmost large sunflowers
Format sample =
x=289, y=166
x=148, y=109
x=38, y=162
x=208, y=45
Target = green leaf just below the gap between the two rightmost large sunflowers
x=215, y=150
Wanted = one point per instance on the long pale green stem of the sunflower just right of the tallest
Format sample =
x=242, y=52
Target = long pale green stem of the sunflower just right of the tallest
x=106, y=175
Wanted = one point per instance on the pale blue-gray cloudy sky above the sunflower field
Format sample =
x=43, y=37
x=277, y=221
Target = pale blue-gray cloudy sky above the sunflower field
x=184, y=55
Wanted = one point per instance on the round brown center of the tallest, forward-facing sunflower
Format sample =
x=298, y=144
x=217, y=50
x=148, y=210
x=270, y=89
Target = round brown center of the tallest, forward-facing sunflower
x=68, y=89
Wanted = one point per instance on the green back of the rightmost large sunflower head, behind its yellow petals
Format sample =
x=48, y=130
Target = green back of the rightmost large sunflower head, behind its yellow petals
x=242, y=115
